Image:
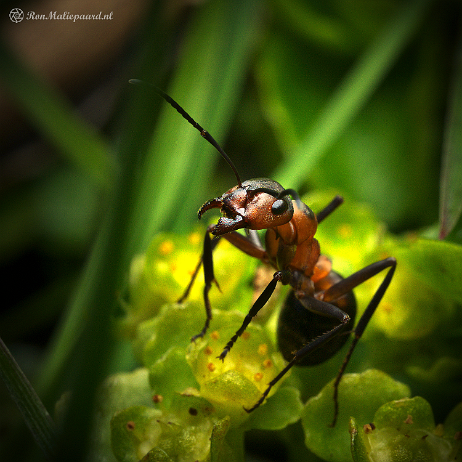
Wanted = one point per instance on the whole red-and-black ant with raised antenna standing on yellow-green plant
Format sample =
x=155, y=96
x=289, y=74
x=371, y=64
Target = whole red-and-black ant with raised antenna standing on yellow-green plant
x=320, y=309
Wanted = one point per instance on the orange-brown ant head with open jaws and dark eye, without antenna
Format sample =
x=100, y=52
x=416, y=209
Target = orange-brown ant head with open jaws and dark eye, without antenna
x=255, y=204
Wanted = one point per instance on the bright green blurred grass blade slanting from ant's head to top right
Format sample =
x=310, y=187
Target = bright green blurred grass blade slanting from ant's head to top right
x=353, y=93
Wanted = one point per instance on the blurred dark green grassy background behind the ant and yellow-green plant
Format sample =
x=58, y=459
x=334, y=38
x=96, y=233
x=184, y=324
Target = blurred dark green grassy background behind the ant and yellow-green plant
x=362, y=97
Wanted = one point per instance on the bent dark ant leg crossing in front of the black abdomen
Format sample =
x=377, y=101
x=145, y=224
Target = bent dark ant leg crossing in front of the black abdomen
x=321, y=307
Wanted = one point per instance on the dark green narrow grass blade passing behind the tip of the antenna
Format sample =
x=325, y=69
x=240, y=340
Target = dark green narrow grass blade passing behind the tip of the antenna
x=130, y=142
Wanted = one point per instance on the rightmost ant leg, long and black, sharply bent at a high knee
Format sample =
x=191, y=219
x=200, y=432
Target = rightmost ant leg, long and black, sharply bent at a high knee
x=348, y=284
